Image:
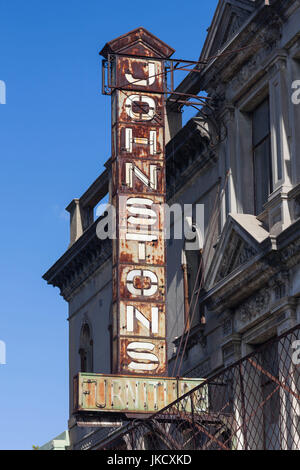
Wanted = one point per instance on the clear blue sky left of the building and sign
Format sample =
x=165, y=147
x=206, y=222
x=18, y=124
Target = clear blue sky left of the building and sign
x=54, y=139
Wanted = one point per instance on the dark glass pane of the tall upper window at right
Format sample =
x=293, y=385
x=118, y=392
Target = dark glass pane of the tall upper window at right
x=262, y=175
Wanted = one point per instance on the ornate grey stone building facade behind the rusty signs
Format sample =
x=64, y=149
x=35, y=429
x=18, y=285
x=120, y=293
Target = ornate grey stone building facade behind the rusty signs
x=239, y=157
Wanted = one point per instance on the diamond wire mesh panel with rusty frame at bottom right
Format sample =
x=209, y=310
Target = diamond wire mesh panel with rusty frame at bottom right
x=252, y=405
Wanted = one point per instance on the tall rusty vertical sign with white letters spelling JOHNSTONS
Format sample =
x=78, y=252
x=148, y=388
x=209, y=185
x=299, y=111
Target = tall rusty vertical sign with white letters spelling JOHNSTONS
x=137, y=83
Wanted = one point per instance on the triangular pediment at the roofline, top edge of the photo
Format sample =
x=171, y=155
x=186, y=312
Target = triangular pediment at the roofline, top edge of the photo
x=228, y=18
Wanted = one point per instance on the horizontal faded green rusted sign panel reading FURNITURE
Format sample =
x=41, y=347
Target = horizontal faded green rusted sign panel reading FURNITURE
x=134, y=394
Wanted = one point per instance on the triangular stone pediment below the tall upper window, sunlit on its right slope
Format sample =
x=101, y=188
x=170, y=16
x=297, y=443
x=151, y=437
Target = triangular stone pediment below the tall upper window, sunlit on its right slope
x=242, y=239
